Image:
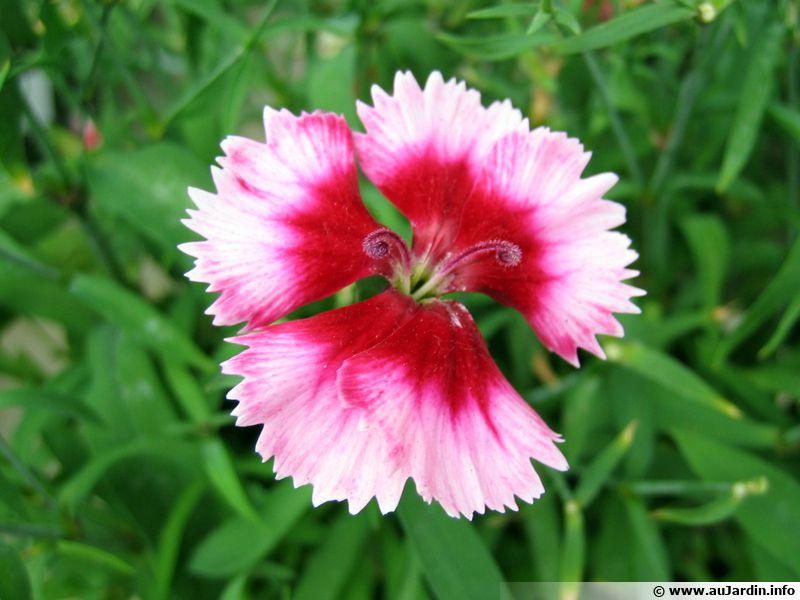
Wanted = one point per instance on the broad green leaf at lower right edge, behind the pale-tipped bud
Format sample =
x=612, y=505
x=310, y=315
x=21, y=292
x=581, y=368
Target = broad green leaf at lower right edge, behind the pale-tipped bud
x=772, y=519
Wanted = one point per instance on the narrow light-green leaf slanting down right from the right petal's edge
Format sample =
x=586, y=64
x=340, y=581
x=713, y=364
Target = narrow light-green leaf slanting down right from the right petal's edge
x=668, y=372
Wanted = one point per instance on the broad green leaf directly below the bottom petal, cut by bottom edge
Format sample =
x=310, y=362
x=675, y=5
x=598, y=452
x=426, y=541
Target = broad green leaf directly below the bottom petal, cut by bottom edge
x=453, y=557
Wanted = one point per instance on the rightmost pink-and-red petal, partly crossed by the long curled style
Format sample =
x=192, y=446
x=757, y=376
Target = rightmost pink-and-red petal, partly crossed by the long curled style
x=569, y=281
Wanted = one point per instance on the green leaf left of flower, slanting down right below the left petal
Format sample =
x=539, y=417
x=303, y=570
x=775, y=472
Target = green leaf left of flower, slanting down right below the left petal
x=139, y=319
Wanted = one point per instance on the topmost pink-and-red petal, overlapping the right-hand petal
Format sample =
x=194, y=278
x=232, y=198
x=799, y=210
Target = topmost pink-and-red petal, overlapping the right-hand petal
x=424, y=149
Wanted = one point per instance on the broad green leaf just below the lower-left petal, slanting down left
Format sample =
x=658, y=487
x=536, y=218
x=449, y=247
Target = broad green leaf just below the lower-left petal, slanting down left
x=239, y=544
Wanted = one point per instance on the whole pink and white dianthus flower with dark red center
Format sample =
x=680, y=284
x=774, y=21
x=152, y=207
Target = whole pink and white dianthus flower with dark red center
x=359, y=399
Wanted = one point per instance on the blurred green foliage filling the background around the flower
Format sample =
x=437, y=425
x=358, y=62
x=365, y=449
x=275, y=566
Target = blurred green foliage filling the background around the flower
x=121, y=474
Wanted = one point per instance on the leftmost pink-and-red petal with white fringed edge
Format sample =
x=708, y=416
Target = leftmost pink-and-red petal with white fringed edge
x=283, y=214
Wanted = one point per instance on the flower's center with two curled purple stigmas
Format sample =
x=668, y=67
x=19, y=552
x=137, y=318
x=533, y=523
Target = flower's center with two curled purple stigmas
x=417, y=278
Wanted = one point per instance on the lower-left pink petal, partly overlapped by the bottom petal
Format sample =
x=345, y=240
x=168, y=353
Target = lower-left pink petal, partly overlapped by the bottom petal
x=289, y=387
